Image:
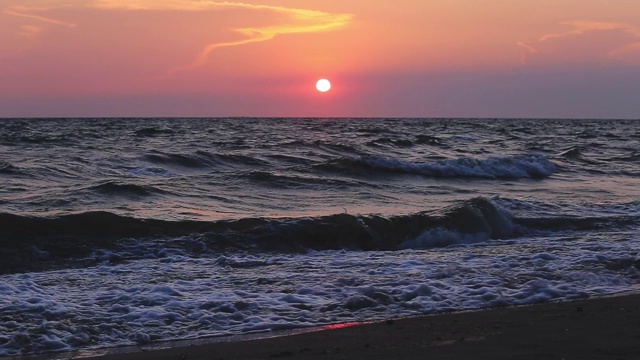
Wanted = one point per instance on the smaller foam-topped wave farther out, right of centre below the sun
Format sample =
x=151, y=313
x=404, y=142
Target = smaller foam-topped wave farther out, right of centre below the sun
x=510, y=167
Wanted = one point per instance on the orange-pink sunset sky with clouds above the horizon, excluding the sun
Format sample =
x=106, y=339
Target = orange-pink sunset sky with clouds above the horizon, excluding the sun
x=471, y=58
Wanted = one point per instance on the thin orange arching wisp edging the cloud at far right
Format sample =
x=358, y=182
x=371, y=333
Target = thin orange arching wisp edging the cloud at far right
x=581, y=28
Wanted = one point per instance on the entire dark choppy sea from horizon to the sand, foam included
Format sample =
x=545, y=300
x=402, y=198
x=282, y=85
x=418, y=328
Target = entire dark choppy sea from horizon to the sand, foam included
x=119, y=232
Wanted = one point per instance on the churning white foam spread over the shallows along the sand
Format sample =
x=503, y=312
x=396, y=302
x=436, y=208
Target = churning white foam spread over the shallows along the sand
x=175, y=297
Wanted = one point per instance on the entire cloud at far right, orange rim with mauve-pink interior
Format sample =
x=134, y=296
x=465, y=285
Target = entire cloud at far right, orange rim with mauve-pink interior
x=622, y=43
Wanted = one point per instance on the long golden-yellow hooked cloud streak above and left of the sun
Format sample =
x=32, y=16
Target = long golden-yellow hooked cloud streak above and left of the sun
x=293, y=20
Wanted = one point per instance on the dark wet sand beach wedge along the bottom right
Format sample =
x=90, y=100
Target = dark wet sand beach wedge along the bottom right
x=598, y=328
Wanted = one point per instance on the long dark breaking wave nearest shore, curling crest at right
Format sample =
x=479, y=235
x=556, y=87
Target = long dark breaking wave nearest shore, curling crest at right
x=73, y=240
